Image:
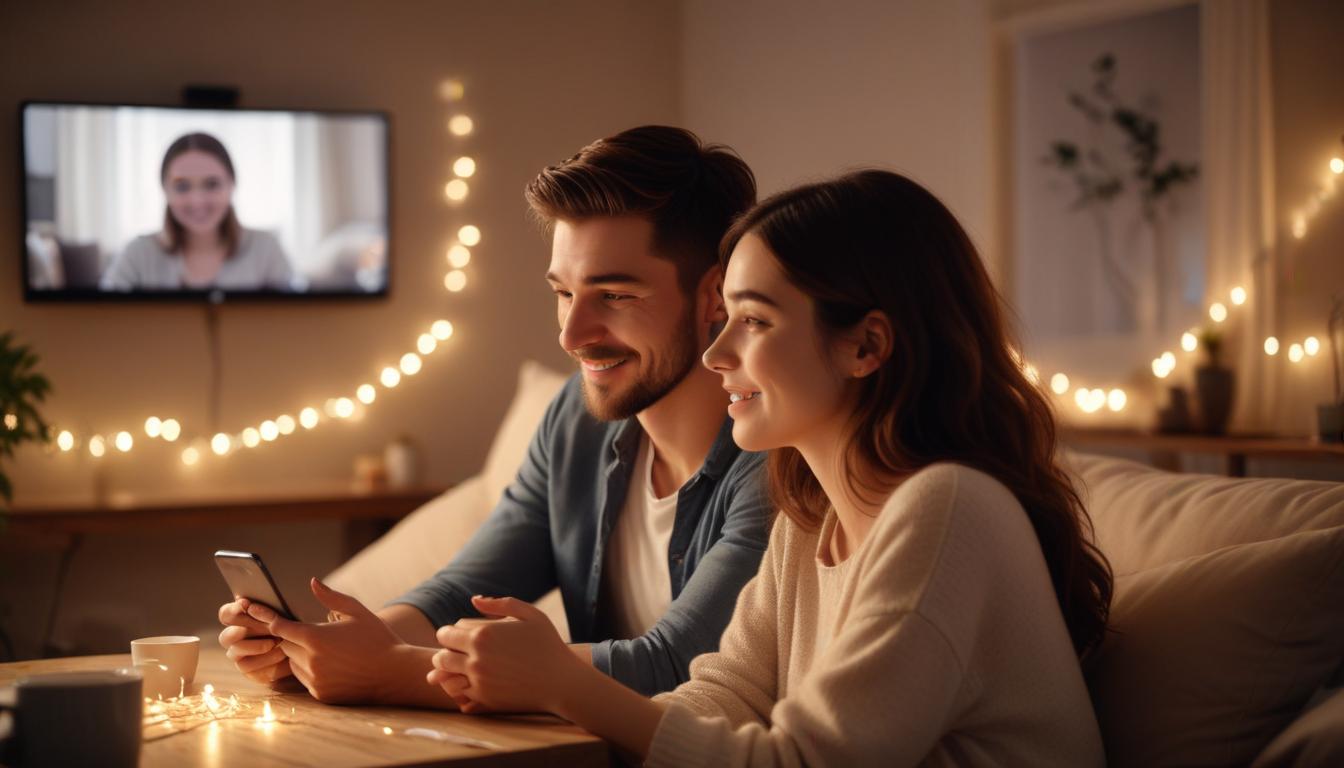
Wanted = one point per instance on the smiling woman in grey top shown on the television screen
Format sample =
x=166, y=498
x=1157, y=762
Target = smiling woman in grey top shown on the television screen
x=202, y=245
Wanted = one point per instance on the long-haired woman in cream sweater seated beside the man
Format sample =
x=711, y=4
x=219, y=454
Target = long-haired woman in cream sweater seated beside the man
x=929, y=591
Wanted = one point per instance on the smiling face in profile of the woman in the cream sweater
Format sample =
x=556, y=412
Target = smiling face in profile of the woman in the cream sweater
x=775, y=361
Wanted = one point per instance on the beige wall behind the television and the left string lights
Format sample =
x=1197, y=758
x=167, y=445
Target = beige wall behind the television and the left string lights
x=542, y=80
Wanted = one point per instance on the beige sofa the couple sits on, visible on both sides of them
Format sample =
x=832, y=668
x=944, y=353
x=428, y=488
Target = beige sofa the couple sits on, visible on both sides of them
x=1228, y=619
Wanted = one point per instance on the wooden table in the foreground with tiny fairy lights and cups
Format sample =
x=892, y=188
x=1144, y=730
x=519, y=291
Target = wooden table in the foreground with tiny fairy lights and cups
x=300, y=731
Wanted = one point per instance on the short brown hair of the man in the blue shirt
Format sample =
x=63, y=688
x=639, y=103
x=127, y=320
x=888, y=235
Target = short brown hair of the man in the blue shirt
x=689, y=190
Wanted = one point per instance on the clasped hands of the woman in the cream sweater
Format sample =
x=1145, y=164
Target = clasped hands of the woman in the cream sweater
x=517, y=664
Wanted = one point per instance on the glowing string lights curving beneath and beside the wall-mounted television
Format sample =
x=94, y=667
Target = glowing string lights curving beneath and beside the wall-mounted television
x=342, y=407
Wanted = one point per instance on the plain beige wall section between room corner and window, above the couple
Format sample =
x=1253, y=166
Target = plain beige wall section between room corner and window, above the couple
x=804, y=91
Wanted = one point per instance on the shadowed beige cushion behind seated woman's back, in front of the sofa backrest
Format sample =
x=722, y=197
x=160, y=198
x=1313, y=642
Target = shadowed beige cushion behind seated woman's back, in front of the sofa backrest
x=1214, y=656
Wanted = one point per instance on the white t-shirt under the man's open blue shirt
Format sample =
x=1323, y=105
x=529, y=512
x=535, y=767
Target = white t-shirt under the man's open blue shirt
x=639, y=586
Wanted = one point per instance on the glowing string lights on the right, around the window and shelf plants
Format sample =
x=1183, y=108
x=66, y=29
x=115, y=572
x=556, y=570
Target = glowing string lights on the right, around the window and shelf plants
x=1093, y=400
